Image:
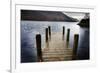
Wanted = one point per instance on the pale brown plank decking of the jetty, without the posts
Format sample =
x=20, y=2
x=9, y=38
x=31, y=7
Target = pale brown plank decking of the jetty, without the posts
x=56, y=48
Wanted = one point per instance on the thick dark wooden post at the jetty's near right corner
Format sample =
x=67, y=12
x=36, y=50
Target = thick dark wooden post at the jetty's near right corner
x=75, y=46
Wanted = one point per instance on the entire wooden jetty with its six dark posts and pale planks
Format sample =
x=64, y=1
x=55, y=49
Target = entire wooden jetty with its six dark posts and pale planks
x=56, y=47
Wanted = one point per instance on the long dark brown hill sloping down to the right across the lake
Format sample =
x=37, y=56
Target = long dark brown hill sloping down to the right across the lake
x=45, y=16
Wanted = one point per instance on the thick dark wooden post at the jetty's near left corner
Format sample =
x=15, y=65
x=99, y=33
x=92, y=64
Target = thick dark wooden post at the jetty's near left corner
x=38, y=45
